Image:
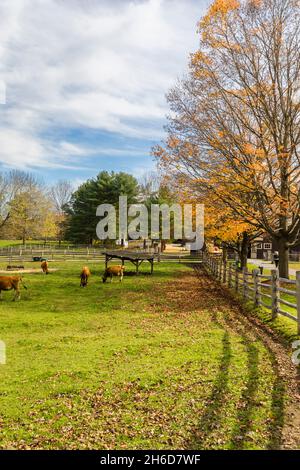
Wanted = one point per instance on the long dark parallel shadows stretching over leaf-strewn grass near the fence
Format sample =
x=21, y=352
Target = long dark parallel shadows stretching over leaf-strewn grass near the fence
x=243, y=419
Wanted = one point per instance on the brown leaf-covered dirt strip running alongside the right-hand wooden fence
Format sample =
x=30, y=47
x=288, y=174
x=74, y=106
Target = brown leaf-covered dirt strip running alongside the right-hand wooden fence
x=249, y=327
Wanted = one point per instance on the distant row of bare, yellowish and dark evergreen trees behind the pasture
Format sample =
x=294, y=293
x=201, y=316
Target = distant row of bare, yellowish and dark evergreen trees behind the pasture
x=31, y=210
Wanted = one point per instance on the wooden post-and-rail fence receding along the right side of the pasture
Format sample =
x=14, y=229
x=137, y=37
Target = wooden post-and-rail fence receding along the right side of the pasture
x=280, y=296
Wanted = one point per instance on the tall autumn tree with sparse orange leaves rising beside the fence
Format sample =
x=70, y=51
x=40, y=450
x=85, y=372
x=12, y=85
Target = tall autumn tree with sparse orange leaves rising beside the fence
x=235, y=123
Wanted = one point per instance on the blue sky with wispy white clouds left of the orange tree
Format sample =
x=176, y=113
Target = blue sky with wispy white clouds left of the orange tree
x=83, y=82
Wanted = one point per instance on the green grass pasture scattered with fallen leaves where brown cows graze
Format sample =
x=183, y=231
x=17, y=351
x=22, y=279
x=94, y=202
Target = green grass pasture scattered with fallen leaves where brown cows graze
x=162, y=361
